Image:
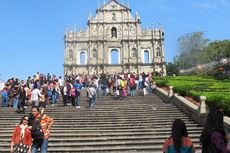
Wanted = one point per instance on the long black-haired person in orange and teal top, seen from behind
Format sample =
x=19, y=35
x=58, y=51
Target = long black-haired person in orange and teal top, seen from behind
x=178, y=142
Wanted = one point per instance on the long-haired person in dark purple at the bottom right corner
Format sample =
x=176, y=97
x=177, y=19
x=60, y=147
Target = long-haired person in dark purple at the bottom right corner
x=213, y=137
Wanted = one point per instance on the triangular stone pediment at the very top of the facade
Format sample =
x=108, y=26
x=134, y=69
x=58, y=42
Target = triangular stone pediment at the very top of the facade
x=113, y=5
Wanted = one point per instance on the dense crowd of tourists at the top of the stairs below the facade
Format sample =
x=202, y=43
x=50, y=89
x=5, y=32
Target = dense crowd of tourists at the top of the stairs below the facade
x=42, y=90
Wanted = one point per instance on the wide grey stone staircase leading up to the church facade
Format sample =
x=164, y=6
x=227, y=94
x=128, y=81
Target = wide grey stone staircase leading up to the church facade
x=135, y=124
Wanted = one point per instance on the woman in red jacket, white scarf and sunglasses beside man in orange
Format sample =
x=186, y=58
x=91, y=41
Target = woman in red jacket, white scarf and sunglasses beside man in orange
x=21, y=140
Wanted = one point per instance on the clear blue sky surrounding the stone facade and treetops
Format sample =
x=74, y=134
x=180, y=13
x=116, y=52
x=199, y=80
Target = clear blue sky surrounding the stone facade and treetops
x=32, y=31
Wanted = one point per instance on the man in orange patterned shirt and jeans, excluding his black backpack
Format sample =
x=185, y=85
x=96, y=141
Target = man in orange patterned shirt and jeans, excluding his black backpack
x=46, y=123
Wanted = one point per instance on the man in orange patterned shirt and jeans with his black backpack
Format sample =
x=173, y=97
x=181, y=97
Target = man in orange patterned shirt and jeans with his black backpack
x=41, y=125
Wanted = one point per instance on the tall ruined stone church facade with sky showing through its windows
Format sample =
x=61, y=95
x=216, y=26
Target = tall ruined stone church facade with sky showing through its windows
x=114, y=42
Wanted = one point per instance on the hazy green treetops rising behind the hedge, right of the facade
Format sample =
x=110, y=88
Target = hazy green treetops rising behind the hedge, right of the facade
x=194, y=49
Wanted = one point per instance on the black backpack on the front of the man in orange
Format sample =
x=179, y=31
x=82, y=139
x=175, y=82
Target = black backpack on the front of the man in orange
x=36, y=130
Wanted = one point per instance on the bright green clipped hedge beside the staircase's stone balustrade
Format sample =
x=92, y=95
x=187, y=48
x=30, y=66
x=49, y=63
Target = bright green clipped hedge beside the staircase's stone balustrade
x=217, y=92
